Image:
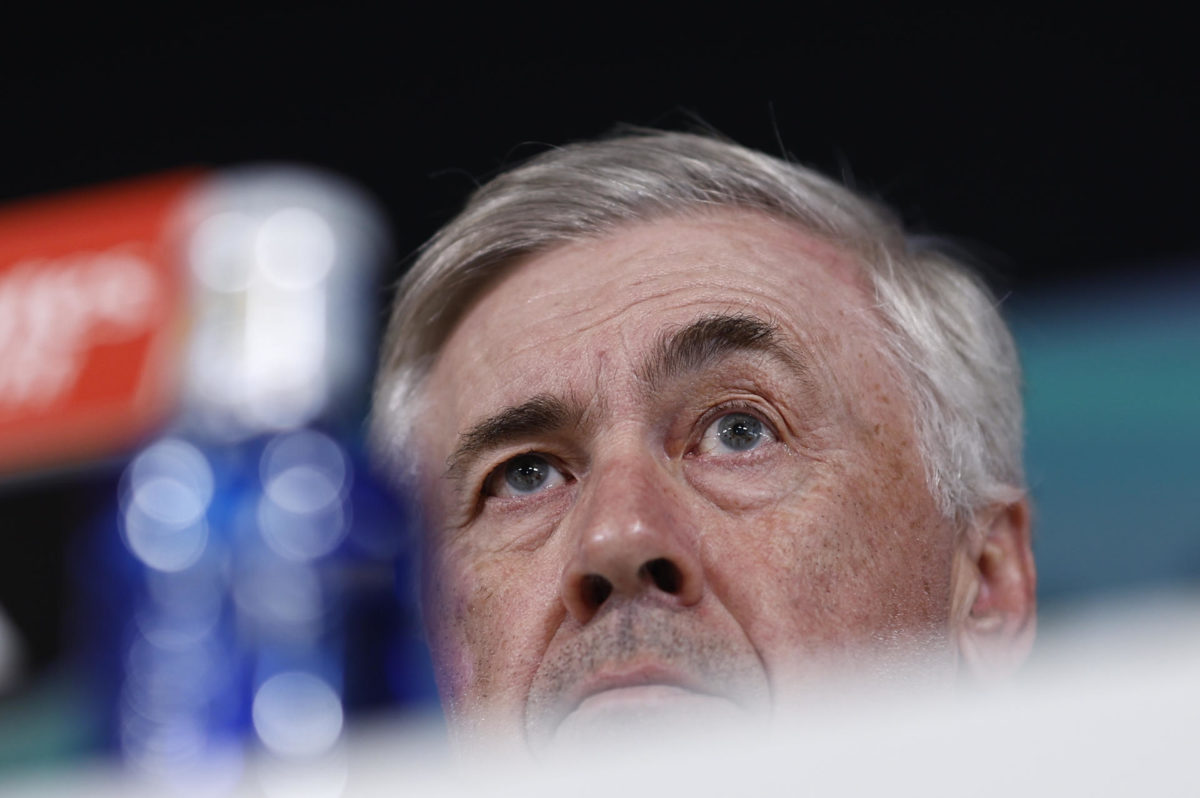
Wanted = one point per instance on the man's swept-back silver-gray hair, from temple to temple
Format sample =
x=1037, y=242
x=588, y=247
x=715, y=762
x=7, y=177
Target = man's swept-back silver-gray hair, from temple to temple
x=944, y=333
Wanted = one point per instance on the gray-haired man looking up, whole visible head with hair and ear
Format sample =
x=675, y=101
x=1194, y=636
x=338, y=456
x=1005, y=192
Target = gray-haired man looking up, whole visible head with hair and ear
x=694, y=431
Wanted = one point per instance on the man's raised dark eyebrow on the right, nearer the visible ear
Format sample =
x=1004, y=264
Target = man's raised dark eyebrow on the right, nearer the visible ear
x=710, y=339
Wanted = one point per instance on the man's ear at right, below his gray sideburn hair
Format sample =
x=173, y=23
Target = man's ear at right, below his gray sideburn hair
x=995, y=591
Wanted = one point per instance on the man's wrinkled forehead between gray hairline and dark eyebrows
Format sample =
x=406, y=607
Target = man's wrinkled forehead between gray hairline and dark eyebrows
x=573, y=319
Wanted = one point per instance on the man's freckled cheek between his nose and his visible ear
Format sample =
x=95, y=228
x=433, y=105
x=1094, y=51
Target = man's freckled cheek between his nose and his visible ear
x=833, y=571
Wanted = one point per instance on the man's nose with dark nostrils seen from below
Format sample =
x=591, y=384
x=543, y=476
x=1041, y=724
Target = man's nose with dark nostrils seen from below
x=634, y=538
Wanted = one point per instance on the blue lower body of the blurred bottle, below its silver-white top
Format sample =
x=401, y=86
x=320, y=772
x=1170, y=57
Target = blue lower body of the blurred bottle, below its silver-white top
x=249, y=591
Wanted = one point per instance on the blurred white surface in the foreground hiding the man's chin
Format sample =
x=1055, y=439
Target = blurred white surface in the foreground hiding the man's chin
x=1112, y=707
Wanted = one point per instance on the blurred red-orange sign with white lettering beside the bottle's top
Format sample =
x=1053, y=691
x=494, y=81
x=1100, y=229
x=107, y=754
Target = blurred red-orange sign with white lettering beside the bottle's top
x=92, y=317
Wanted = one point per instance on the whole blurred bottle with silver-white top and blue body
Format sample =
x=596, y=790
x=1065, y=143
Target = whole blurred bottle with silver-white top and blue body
x=249, y=584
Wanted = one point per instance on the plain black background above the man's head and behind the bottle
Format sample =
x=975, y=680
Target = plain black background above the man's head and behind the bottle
x=1059, y=146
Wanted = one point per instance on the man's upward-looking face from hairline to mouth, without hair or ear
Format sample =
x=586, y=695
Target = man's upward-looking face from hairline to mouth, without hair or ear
x=670, y=473
